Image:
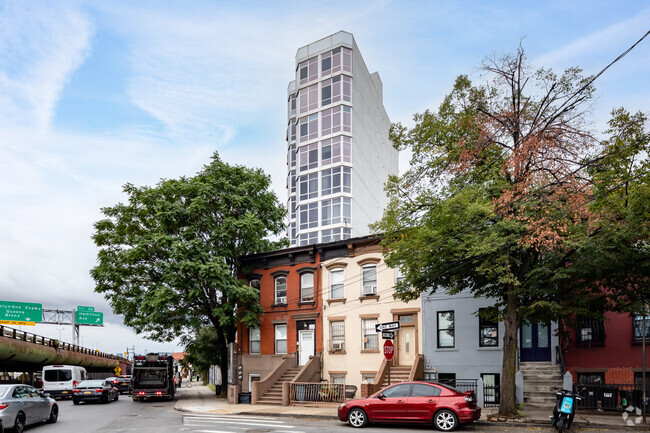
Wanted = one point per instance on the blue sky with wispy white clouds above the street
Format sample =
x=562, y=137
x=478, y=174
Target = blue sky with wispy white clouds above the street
x=97, y=94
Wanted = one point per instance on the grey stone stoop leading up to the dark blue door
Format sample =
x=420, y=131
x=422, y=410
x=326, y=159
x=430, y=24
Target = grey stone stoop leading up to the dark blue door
x=540, y=380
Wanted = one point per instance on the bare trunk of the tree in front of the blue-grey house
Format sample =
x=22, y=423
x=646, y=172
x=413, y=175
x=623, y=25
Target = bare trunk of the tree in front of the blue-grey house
x=508, y=403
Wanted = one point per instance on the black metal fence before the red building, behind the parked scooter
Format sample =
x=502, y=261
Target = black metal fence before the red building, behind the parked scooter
x=609, y=397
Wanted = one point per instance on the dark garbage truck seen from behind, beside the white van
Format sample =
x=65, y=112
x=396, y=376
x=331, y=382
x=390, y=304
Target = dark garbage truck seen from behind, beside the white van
x=153, y=376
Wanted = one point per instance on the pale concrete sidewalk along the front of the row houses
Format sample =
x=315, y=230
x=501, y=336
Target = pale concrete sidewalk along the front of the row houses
x=200, y=399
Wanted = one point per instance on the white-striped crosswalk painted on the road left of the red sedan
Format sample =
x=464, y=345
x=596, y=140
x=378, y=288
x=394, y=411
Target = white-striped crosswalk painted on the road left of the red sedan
x=234, y=423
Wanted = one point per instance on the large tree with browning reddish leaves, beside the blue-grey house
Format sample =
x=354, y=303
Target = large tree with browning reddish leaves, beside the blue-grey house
x=496, y=197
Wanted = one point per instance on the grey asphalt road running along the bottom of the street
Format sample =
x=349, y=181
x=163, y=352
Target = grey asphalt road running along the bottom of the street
x=125, y=416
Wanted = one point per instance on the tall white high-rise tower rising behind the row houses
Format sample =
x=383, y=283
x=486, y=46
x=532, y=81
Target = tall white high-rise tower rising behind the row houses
x=338, y=152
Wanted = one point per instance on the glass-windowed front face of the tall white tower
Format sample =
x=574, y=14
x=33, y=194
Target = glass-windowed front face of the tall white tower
x=321, y=143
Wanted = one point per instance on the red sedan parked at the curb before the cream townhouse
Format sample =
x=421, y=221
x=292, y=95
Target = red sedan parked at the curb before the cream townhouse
x=413, y=402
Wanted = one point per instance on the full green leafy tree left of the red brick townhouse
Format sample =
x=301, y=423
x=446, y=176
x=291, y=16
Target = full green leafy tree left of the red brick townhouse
x=168, y=258
